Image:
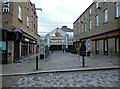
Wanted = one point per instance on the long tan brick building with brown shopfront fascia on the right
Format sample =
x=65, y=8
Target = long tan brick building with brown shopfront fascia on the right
x=100, y=22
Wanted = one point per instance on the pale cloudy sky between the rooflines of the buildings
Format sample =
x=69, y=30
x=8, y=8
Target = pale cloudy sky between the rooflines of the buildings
x=57, y=13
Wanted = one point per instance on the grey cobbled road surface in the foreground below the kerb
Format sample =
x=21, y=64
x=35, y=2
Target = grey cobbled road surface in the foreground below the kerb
x=103, y=78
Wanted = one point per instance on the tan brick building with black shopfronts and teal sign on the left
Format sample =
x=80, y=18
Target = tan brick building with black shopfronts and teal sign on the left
x=19, y=30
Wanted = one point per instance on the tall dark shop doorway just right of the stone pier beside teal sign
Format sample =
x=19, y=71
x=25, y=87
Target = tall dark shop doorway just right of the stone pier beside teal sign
x=16, y=52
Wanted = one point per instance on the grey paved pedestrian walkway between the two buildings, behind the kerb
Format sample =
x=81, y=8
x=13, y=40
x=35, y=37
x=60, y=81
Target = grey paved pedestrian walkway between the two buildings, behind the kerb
x=60, y=61
